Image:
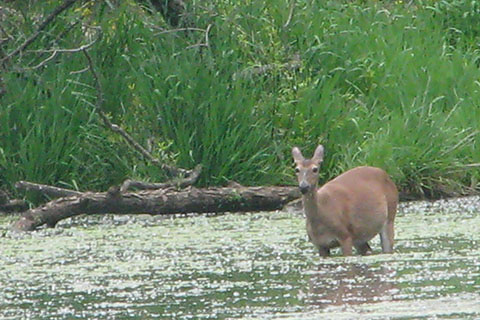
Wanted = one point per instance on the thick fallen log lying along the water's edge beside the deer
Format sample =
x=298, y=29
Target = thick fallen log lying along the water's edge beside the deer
x=158, y=202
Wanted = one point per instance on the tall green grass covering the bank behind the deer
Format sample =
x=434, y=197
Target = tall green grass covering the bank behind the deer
x=389, y=85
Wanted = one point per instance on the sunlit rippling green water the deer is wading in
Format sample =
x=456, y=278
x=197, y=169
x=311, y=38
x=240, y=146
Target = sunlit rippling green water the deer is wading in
x=251, y=266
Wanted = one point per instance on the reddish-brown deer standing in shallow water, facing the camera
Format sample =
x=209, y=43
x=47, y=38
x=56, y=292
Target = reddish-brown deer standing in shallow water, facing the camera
x=349, y=210
